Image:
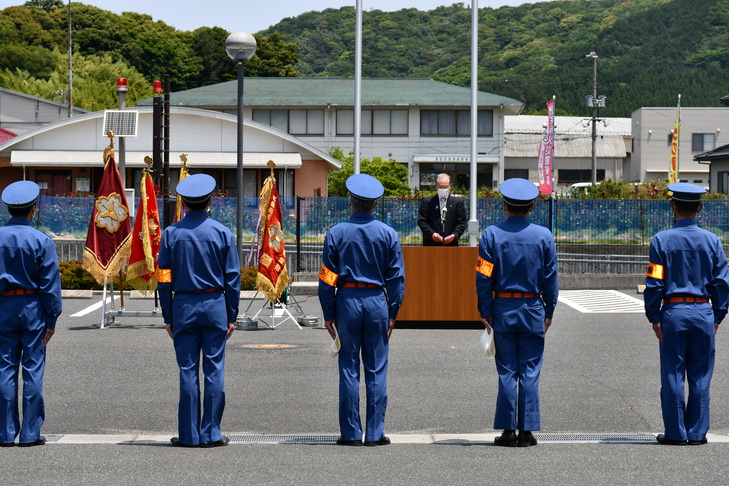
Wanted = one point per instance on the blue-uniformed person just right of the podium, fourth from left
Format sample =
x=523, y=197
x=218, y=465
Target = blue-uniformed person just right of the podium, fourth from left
x=516, y=283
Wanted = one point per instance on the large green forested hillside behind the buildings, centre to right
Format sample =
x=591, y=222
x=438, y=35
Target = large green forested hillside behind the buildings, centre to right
x=649, y=50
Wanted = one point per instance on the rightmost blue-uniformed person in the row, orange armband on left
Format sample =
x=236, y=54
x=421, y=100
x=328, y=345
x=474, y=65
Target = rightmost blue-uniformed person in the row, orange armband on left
x=686, y=294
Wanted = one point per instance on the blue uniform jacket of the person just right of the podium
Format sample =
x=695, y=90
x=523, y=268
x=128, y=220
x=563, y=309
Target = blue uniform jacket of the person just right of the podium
x=517, y=256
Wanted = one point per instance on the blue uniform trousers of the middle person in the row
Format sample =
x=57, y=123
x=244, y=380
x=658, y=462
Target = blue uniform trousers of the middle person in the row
x=362, y=323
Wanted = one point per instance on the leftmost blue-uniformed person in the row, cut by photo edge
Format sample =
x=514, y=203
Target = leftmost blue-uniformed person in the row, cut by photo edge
x=30, y=303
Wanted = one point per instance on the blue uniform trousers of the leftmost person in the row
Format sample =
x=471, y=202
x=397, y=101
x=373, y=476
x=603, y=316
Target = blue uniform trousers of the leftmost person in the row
x=22, y=330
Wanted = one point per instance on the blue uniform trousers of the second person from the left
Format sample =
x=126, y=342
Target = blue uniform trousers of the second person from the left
x=200, y=325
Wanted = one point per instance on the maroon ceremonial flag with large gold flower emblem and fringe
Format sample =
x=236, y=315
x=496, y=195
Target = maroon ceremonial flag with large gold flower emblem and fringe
x=108, y=239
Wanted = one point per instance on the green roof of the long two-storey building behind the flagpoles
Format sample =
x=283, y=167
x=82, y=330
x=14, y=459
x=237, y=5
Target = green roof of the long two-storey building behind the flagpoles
x=336, y=92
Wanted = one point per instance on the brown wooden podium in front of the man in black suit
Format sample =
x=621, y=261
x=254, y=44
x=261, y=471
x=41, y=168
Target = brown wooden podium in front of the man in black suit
x=440, y=284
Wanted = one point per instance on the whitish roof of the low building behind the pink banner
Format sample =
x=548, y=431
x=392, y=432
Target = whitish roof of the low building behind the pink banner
x=573, y=136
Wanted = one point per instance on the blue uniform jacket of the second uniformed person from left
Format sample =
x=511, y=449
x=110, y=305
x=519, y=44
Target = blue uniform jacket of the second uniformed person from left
x=201, y=255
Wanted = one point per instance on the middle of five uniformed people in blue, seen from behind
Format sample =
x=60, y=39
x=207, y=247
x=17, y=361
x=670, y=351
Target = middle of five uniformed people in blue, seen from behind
x=361, y=287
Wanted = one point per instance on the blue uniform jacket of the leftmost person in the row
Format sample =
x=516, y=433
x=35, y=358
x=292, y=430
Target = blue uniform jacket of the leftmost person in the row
x=29, y=261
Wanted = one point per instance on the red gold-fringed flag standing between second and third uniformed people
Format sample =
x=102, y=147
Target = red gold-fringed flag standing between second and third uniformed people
x=273, y=276
